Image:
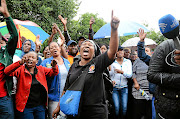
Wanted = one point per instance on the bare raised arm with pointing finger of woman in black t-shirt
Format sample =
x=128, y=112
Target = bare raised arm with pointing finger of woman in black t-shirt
x=114, y=40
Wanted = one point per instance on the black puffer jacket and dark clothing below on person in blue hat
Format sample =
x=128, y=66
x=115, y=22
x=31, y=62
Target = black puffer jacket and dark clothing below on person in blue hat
x=167, y=78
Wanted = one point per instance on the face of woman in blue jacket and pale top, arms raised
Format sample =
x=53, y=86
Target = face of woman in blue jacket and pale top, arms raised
x=54, y=49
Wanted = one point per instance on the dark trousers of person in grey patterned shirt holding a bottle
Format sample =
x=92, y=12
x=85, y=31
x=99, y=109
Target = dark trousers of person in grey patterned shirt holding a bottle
x=142, y=108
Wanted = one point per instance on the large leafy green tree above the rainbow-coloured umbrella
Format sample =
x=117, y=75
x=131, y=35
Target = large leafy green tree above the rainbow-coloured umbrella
x=43, y=12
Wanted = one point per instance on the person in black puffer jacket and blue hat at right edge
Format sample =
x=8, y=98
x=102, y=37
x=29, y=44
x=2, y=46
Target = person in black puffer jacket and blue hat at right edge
x=164, y=70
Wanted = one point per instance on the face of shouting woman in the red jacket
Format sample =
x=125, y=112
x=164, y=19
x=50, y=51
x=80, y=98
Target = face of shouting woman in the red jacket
x=31, y=59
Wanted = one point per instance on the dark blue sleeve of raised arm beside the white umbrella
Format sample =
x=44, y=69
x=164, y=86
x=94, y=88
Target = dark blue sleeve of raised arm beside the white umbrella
x=141, y=53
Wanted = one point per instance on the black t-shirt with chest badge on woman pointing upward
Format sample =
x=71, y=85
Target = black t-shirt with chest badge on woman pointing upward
x=93, y=92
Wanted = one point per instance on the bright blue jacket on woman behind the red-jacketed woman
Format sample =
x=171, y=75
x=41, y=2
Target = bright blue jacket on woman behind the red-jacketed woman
x=54, y=82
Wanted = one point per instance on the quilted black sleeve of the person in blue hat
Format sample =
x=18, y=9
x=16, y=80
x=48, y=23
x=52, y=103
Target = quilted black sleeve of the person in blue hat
x=156, y=72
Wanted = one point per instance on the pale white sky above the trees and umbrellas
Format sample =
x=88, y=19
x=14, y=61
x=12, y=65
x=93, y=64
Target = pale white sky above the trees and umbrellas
x=140, y=11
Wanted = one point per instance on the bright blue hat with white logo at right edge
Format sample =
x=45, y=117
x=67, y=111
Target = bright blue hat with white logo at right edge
x=167, y=23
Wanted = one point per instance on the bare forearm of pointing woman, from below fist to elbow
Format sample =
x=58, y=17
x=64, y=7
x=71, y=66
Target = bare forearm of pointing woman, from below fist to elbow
x=113, y=44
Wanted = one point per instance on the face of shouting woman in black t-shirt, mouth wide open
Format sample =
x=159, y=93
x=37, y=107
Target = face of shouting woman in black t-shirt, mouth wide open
x=87, y=50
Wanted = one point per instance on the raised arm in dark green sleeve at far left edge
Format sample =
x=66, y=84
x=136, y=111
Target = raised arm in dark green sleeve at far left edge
x=12, y=42
